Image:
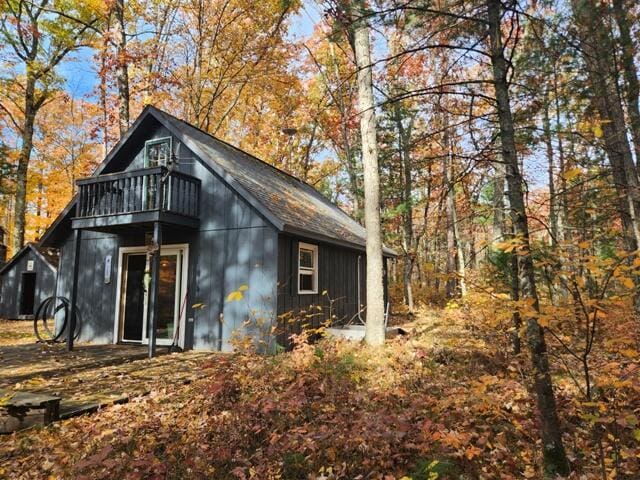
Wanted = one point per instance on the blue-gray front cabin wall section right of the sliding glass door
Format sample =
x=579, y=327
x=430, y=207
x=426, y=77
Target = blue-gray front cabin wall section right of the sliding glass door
x=233, y=238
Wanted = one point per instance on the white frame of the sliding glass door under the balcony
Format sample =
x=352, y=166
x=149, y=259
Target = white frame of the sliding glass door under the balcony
x=182, y=313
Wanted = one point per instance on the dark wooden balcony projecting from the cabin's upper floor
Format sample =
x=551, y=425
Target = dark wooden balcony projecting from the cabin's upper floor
x=136, y=198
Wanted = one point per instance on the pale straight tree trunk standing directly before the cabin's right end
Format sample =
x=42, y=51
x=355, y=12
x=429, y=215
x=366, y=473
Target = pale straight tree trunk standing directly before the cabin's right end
x=375, y=328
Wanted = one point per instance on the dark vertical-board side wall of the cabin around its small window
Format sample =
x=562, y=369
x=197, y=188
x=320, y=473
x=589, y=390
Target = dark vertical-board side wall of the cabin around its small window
x=337, y=276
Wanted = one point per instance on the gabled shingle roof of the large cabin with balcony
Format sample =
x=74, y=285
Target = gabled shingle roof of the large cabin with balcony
x=290, y=204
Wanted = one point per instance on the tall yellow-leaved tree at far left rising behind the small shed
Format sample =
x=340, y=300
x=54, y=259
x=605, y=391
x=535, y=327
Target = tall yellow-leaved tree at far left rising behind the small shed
x=39, y=38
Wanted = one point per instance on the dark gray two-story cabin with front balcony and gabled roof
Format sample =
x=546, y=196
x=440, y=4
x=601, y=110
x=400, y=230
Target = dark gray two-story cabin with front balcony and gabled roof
x=243, y=245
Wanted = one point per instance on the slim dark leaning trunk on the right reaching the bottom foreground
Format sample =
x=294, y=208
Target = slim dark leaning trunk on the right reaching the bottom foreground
x=554, y=455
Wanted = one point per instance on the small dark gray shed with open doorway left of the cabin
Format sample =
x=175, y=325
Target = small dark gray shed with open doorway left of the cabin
x=26, y=280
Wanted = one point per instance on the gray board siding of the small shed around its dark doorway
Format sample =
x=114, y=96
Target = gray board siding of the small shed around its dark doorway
x=11, y=288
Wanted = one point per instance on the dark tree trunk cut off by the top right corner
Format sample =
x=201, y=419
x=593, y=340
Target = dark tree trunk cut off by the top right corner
x=632, y=90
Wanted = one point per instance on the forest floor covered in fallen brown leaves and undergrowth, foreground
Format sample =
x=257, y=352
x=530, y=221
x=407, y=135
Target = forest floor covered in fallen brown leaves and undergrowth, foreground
x=447, y=400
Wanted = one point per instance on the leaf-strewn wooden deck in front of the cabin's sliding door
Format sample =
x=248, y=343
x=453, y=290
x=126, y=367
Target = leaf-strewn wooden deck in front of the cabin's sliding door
x=92, y=376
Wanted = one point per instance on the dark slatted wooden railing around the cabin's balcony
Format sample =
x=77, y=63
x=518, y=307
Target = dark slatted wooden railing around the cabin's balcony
x=153, y=189
